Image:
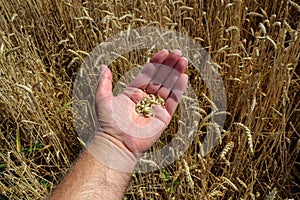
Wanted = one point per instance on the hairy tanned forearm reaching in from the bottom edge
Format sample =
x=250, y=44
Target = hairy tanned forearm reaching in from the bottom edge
x=91, y=179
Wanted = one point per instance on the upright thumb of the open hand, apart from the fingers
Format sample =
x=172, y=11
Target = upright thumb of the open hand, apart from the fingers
x=104, y=88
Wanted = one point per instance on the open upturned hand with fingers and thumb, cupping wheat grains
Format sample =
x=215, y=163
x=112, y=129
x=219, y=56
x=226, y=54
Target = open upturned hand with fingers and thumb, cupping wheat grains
x=120, y=123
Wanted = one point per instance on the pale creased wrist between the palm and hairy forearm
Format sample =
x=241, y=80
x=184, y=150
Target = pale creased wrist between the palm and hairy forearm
x=112, y=152
